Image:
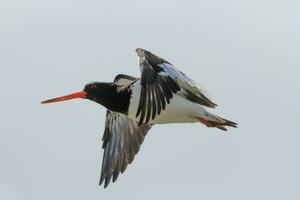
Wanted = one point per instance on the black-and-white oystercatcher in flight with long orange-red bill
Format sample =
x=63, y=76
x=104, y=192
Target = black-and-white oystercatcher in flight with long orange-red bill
x=162, y=95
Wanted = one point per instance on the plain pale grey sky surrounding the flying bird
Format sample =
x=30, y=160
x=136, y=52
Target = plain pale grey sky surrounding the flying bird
x=244, y=53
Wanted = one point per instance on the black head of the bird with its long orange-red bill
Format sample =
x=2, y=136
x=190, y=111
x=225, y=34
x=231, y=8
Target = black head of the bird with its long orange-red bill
x=93, y=91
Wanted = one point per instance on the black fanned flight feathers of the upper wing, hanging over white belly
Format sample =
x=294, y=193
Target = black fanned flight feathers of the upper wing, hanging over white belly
x=157, y=86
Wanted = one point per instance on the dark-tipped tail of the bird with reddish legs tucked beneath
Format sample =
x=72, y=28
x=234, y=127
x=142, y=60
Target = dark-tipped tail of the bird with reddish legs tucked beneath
x=211, y=120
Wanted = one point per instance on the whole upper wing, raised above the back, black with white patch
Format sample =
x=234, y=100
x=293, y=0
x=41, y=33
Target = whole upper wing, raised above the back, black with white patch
x=160, y=80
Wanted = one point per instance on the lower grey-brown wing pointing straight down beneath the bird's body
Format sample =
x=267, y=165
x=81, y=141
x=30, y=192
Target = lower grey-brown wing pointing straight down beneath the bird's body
x=121, y=142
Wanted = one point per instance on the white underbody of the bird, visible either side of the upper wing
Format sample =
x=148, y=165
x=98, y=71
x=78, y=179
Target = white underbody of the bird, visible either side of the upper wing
x=180, y=110
